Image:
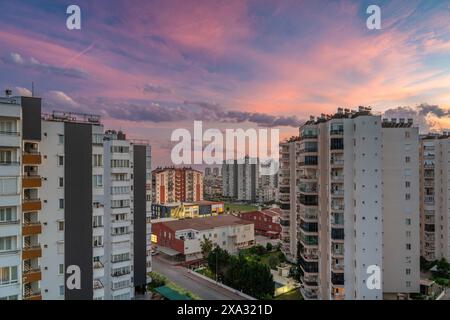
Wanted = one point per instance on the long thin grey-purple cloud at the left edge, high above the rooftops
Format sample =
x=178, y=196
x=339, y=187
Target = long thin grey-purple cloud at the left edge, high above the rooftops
x=32, y=63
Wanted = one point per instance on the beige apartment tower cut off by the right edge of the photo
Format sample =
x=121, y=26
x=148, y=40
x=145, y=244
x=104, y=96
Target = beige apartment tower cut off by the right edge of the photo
x=434, y=196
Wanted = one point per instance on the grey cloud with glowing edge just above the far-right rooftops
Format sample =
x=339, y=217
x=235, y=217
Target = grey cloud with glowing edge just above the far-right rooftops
x=427, y=117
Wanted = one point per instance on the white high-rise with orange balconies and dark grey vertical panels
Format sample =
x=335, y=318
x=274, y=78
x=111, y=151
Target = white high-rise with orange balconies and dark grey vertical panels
x=63, y=212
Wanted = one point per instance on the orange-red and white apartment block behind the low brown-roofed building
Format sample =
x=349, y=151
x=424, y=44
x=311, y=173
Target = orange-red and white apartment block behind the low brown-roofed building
x=172, y=184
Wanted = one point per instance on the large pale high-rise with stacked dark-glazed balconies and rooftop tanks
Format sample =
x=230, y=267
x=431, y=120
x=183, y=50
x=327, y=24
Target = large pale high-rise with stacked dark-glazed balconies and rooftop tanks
x=357, y=205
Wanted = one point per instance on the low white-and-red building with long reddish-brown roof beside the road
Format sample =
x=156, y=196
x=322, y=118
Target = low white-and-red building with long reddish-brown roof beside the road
x=183, y=238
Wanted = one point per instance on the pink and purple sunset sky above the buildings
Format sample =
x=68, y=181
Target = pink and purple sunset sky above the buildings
x=149, y=67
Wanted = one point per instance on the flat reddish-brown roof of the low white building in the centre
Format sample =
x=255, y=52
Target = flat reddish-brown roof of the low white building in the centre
x=206, y=223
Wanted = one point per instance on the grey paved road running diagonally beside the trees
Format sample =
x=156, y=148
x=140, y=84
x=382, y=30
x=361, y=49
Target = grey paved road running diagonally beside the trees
x=200, y=287
